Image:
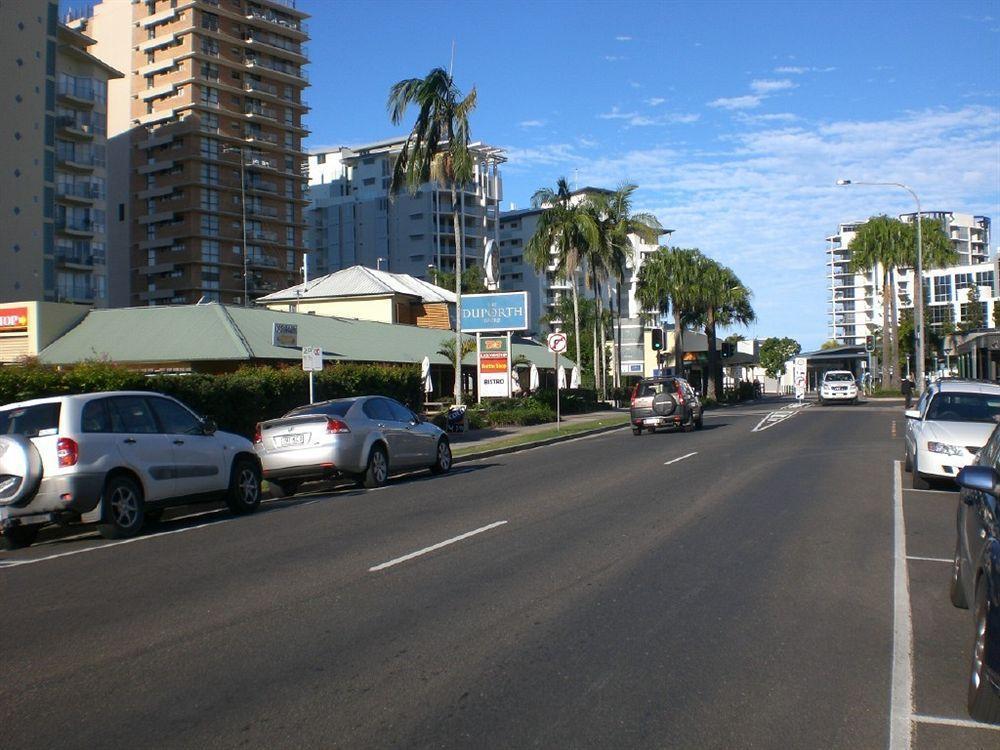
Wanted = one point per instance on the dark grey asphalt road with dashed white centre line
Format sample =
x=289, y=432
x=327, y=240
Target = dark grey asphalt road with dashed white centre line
x=732, y=587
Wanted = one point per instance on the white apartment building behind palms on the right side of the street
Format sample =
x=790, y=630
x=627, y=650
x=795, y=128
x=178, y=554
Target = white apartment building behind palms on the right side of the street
x=855, y=301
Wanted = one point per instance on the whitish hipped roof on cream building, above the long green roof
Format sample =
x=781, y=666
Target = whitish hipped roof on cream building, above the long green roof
x=360, y=281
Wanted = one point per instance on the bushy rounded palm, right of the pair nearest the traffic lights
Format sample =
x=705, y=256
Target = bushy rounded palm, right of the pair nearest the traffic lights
x=722, y=299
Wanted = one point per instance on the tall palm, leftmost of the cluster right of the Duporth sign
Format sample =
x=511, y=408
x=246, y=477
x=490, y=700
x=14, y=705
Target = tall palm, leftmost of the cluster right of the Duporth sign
x=564, y=230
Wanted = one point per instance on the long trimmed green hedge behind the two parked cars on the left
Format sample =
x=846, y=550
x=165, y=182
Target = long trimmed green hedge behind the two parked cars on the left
x=236, y=401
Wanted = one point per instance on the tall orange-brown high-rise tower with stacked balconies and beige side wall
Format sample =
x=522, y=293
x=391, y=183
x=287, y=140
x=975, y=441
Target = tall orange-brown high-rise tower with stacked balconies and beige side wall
x=213, y=207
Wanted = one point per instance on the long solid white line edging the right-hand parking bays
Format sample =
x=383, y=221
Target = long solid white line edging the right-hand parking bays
x=901, y=698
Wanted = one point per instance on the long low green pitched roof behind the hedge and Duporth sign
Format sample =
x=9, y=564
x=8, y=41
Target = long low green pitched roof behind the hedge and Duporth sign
x=214, y=332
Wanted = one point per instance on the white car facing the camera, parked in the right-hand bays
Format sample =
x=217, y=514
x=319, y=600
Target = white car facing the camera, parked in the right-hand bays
x=952, y=422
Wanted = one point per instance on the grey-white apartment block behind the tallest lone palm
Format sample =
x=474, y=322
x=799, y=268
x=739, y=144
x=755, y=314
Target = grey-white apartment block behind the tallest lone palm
x=353, y=220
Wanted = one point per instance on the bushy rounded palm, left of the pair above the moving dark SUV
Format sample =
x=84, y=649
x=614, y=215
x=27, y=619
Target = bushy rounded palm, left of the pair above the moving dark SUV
x=665, y=284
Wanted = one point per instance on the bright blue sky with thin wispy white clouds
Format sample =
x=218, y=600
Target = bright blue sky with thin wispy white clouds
x=734, y=118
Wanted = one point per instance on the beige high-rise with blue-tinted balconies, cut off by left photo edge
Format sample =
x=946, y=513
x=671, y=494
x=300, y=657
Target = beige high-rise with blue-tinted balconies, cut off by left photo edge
x=53, y=159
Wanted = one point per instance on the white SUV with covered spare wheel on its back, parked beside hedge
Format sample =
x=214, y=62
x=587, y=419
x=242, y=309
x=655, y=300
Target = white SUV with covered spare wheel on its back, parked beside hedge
x=117, y=458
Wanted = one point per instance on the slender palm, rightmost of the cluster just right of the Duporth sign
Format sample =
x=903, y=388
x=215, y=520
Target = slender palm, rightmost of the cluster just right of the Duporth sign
x=615, y=223
